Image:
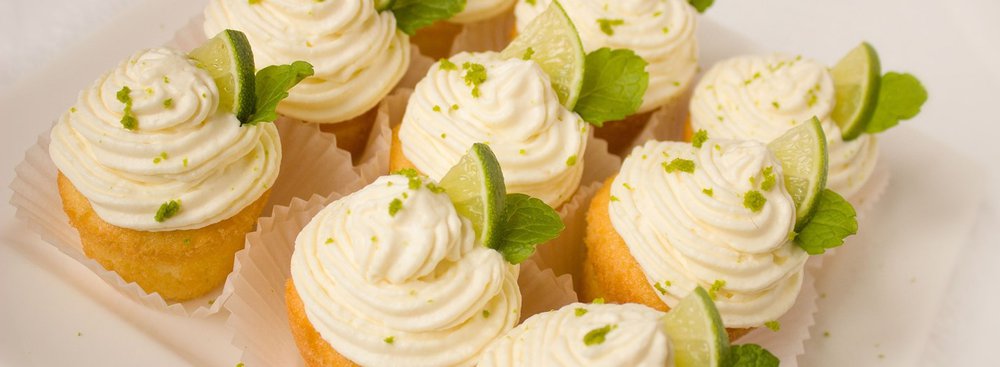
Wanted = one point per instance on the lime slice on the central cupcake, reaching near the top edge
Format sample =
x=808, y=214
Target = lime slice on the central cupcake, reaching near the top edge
x=551, y=41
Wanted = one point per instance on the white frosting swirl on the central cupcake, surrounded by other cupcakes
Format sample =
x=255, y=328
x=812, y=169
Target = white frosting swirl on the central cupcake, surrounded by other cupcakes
x=539, y=143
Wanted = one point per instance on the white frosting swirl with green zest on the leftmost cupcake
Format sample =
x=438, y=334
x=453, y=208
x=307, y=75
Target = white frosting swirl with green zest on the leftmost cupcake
x=183, y=148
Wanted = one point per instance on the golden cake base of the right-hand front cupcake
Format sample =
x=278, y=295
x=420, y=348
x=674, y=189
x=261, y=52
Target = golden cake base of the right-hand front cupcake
x=610, y=271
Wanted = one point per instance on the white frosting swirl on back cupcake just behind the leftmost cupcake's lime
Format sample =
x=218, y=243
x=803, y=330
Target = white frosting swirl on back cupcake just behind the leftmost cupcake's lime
x=357, y=52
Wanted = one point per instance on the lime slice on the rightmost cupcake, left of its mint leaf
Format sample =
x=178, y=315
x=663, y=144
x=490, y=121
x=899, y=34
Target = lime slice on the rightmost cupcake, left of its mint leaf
x=856, y=78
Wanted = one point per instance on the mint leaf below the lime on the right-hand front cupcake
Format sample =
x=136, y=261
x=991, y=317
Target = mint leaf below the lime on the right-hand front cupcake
x=835, y=219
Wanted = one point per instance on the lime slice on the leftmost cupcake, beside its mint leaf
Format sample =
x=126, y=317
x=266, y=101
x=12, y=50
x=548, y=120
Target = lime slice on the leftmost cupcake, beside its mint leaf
x=229, y=60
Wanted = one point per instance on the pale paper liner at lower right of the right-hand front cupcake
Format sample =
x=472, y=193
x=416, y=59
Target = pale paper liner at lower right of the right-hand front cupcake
x=789, y=341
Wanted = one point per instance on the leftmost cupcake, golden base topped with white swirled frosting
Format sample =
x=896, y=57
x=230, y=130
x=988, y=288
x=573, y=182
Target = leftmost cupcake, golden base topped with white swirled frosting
x=160, y=182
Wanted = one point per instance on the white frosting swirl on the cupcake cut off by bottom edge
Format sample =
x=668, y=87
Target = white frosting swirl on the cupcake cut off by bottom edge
x=556, y=338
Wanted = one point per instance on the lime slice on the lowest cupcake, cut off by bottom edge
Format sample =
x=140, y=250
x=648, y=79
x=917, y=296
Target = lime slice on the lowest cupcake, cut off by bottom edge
x=696, y=331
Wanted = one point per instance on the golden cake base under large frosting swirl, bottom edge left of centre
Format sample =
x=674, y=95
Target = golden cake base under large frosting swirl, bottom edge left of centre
x=315, y=350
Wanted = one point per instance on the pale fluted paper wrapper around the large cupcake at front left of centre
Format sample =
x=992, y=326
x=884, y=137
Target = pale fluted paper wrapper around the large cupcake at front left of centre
x=258, y=315
